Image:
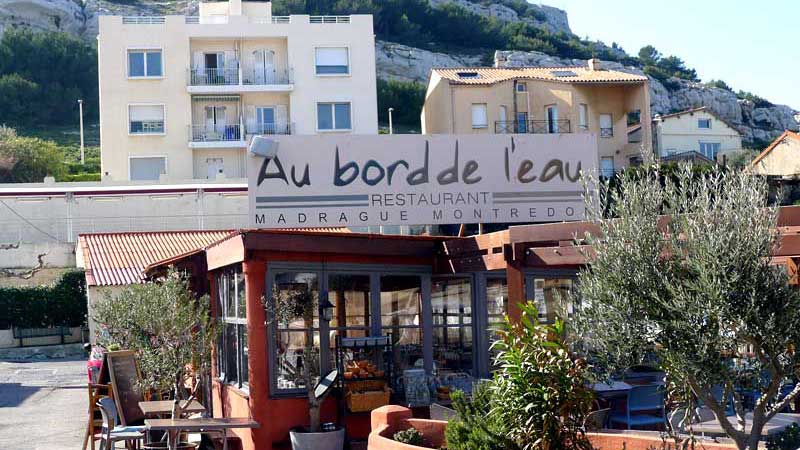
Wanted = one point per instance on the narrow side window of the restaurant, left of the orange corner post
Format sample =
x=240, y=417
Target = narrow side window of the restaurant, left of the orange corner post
x=232, y=344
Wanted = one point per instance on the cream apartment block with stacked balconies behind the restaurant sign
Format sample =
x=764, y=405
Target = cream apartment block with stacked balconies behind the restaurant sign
x=181, y=96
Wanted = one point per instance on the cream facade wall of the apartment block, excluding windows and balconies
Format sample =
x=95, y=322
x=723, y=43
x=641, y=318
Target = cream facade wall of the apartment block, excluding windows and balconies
x=233, y=27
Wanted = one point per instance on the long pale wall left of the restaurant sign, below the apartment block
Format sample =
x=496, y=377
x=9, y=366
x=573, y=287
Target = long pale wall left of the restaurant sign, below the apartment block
x=57, y=213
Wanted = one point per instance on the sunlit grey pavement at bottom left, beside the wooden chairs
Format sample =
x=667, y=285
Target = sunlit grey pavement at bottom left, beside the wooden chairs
x=43, y=404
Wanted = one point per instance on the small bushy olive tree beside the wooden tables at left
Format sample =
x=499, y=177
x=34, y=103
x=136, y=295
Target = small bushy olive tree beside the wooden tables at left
x=170, y=330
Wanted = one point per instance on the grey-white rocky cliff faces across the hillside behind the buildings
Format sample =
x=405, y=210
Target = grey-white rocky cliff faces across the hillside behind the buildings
x=397, y=61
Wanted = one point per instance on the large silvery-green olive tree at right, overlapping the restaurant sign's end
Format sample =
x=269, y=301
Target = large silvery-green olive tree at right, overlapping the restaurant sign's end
x=679, y=268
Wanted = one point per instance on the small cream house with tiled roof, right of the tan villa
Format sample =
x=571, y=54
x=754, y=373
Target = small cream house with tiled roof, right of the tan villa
x=695, y=130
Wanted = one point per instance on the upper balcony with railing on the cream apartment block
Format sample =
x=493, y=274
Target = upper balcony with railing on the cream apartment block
x=238, y=80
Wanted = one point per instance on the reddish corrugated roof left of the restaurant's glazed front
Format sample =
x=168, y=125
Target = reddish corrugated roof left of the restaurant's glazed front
x=119, y=258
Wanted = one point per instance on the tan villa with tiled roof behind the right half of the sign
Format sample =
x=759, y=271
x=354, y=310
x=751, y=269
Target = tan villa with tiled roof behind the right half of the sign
x=586, y=99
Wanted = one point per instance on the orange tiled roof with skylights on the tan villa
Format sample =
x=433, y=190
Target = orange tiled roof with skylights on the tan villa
x=576, y=75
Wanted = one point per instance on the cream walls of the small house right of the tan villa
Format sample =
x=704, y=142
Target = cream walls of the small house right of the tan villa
x=681, y=134
